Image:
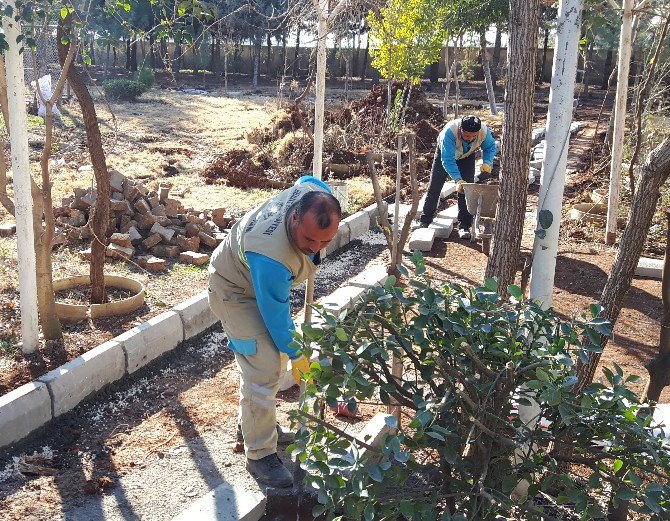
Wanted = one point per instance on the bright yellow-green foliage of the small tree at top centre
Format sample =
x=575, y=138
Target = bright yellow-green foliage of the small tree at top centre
x=408, y=35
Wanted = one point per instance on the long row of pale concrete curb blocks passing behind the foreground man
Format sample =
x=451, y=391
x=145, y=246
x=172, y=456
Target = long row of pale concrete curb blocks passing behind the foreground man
x=36, y=403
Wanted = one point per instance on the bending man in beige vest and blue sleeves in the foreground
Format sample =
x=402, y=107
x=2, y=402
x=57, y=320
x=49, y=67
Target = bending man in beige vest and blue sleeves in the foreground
x=272, y=248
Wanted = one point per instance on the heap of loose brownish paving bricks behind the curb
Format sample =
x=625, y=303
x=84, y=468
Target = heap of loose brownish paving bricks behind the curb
x=144, y=225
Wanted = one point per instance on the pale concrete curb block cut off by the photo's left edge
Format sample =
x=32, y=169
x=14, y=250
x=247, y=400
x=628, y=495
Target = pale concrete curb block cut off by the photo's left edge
x=23, y=410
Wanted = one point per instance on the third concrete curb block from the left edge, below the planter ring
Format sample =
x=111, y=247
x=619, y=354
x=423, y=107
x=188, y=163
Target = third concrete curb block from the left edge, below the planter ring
x=149, y=340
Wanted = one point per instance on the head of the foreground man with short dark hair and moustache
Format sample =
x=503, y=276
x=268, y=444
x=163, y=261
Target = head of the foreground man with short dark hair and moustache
x=314, y=221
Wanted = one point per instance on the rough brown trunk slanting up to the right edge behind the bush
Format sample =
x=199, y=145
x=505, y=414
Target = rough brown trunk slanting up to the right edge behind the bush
x=655, y=172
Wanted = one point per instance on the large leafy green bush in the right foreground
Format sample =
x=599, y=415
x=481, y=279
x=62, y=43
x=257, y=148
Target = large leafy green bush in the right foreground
x=465, y=451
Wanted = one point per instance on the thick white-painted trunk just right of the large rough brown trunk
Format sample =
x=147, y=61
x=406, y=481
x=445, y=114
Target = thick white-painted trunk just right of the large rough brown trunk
x=556, y=153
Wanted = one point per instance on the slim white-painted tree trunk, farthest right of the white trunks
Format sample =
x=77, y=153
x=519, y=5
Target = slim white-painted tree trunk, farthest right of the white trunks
x=625, y=46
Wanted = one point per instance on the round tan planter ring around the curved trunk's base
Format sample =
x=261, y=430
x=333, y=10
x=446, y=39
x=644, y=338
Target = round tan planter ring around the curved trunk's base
x=70, y=313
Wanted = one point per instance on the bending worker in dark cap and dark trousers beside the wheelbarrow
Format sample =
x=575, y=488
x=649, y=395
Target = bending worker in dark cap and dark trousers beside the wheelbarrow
x=455, y=156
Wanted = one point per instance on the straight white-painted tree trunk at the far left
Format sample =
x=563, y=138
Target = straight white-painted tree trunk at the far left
x=18, y=122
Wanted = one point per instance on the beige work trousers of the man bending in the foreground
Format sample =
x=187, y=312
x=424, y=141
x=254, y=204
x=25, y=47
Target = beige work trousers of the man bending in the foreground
x=259, y=372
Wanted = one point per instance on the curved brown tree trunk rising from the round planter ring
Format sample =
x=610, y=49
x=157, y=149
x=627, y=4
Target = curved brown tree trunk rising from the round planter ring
x=100, y=218
